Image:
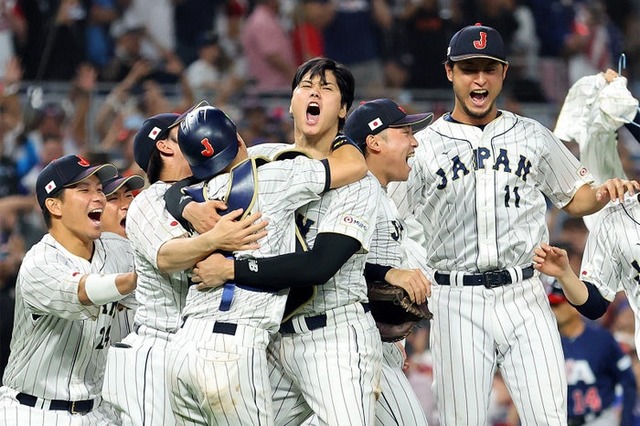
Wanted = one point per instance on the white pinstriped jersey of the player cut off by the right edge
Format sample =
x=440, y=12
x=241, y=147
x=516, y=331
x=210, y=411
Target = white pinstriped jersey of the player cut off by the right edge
x=611, y=259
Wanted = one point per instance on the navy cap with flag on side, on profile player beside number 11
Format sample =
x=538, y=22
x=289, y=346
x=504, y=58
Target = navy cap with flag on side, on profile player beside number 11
x=372, y=117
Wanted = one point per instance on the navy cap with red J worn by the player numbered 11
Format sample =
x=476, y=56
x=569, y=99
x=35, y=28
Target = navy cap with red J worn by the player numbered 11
x=477, y=41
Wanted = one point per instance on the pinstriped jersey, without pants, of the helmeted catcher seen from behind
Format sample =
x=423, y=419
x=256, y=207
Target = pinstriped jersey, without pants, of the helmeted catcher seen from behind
x=283, y=186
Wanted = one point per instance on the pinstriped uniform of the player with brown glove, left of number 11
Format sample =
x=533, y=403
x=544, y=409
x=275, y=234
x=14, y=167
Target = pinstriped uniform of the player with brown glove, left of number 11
x=398, y=403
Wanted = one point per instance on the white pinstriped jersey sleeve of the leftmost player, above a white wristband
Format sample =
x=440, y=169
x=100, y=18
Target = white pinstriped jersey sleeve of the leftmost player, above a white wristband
x=49, y=286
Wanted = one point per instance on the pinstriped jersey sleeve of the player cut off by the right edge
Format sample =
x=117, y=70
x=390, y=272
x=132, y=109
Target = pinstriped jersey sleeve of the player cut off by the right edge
x=601, y=259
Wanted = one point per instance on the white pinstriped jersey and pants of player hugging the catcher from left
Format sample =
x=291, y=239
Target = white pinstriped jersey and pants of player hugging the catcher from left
x=135, y=374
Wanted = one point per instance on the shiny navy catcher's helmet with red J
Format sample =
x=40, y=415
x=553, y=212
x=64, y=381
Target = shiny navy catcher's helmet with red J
x=208, y=139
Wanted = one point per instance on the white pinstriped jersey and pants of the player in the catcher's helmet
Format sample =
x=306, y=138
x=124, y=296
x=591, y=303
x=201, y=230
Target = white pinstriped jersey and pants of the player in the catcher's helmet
x=223, y=379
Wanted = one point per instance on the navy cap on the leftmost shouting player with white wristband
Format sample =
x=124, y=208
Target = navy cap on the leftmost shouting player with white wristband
x=68, y=171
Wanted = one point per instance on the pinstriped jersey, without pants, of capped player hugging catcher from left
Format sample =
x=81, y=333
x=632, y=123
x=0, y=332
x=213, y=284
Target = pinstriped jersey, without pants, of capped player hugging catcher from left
x=160, y=296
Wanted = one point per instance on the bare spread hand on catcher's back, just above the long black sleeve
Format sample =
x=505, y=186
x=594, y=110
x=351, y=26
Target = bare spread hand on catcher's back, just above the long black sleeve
x=231, y=234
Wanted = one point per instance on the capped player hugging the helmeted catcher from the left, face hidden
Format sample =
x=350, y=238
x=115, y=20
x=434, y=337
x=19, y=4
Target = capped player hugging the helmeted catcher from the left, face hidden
x=135, y=374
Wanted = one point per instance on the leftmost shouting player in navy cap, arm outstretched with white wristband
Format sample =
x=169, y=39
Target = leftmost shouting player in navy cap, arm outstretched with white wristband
x=66, y=296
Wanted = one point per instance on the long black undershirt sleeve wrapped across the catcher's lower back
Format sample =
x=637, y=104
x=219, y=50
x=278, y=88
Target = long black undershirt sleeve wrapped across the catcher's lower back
x=314, y=267
